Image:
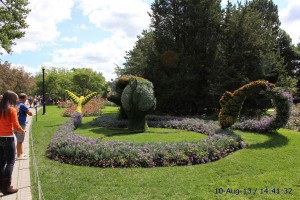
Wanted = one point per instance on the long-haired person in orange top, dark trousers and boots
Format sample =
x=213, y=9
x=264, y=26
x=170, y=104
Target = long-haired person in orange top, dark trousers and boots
x=8, y=123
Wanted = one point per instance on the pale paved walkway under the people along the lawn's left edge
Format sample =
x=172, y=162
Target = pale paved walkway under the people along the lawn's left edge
x=21, y=172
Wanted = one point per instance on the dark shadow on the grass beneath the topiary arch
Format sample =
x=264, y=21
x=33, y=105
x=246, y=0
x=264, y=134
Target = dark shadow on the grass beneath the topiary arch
x=275, y=140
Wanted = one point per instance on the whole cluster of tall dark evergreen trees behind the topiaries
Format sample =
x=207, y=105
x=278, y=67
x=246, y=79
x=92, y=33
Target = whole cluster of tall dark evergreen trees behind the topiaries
x=199, y=51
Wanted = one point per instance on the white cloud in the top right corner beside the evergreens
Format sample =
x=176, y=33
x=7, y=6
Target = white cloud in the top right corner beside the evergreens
x=290, y=18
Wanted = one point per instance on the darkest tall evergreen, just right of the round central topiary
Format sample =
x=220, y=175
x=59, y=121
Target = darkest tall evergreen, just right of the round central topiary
x=185, y=37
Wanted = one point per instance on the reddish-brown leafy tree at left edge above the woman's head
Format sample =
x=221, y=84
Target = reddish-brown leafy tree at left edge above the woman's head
x=16, y=79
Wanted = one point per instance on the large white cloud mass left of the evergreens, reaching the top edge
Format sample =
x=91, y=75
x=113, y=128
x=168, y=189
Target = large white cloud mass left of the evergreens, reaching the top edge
x=124, y=19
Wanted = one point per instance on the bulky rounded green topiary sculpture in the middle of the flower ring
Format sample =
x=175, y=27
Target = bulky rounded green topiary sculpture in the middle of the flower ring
x=136, y=97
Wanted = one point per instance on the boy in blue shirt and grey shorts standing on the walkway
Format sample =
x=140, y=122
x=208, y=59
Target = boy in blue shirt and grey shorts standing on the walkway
x=23, y=111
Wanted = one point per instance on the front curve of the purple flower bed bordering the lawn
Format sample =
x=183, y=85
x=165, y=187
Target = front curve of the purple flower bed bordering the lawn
x=71, y=148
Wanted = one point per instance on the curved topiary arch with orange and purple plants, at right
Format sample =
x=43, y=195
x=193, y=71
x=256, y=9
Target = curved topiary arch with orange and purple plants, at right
x=232, y=103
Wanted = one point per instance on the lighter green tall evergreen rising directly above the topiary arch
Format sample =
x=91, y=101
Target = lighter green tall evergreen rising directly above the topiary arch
x=247, y=49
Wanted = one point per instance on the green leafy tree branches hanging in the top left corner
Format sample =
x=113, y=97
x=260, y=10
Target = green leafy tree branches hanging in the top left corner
x=12, y=22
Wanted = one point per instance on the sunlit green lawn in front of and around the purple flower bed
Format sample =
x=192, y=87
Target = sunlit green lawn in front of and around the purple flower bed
x=270, y=161
